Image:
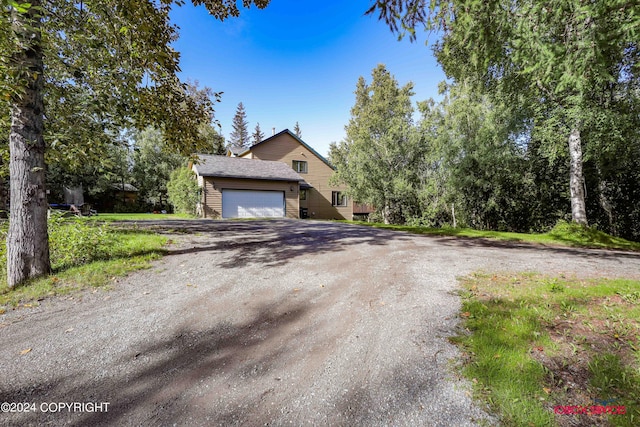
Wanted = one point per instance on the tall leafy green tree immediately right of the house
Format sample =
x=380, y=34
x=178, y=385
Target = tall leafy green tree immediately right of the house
x=379, y=158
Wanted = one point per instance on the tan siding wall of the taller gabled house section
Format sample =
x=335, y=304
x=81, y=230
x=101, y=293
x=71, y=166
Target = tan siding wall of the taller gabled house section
x=284, y=148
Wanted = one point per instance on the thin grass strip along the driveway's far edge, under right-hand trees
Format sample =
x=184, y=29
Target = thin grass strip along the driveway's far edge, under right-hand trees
x=563, y=234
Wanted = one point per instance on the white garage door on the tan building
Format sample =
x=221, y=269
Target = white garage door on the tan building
x=252, y=204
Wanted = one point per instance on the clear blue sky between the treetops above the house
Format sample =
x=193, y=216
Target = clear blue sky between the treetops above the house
x=297, y=61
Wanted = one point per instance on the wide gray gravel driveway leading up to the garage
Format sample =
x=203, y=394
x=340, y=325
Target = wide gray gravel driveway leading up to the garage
x=268, y=323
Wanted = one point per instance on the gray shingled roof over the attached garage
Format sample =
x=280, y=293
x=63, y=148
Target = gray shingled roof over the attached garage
x=239, y=167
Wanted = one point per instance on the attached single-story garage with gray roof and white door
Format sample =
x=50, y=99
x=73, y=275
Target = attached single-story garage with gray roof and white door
x=236, y=187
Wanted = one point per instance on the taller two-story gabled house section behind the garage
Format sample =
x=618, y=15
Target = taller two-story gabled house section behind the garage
x=318, y=199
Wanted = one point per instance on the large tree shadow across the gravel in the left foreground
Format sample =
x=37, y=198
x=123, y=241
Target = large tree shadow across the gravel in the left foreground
x=154, y=377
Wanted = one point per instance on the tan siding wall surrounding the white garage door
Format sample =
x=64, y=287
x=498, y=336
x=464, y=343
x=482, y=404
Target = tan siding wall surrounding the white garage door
x=212, y=193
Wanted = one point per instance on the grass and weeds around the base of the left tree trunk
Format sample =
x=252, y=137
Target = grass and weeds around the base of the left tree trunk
x=83, y=255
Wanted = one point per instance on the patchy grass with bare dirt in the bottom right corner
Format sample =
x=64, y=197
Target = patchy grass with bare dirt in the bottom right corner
x=533, y=343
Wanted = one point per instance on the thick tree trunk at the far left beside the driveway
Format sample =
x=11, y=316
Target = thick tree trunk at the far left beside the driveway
x=27, y=239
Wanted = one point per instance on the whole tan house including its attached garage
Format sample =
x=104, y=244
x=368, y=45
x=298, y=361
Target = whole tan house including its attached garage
x=281, y=176
